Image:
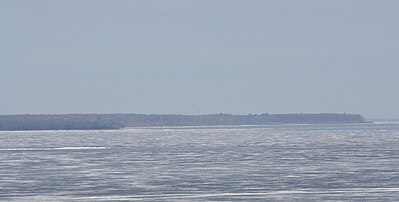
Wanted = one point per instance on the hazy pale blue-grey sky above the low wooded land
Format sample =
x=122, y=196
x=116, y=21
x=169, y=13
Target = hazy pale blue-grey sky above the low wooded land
x=210, y=56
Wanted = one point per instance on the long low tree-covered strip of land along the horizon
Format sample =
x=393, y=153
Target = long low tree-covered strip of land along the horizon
x=119, y=121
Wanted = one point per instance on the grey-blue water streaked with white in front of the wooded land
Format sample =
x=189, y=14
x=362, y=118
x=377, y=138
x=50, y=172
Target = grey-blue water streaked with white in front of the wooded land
x=264, y=163
